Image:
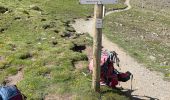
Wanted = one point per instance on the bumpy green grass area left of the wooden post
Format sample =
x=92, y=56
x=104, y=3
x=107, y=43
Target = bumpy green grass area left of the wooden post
x=32, y=42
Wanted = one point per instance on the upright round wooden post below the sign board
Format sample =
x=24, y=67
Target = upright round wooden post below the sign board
x=97, y=40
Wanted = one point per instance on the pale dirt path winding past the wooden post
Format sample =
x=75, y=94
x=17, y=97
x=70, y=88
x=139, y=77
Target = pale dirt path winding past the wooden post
x=147, y=85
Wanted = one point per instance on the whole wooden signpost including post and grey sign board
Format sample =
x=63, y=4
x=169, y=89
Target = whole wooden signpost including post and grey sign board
x=97, y=40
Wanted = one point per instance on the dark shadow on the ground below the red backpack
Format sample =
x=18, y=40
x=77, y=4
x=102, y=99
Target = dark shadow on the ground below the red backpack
x=127, y=93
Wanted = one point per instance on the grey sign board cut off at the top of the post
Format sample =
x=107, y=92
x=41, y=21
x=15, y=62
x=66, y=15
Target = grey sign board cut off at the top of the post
x=98, y=1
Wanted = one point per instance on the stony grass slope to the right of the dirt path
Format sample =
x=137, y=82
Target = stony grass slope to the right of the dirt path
x=144, y=33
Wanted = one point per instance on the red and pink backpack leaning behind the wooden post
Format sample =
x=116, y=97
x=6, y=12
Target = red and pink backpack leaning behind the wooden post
x=109, y=75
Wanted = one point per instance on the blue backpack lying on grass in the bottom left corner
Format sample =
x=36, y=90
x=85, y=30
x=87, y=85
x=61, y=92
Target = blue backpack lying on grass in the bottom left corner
x=10, y=93
